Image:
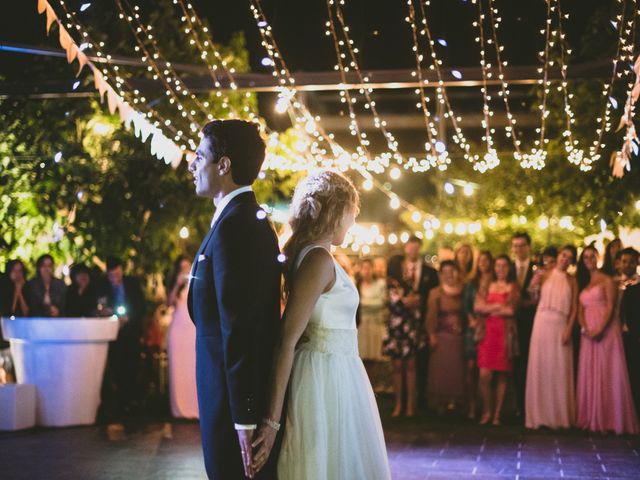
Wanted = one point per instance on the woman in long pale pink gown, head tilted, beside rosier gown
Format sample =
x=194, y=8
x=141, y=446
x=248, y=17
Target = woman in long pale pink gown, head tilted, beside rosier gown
x=550, y=393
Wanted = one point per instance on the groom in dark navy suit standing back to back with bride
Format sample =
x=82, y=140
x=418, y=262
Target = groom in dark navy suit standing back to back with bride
x=234, y=300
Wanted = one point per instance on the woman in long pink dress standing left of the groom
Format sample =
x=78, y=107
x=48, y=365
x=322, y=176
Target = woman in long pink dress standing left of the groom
x=181, y=348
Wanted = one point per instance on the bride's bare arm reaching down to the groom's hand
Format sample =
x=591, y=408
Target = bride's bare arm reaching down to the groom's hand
x=315, y=276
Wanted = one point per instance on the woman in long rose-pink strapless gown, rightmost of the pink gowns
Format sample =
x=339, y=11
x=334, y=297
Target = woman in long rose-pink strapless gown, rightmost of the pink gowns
x=603, y=394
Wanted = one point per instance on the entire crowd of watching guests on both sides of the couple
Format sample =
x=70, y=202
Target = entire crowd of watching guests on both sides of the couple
x=564, y=333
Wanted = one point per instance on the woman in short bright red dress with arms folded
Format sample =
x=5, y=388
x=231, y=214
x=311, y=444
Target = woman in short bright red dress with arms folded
x=499, y=343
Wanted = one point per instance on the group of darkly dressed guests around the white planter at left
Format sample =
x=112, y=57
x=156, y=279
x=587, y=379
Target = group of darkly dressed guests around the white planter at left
x=90, y=294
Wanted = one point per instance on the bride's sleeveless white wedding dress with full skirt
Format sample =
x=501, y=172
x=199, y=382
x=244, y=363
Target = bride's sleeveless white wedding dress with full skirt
x=332, y=425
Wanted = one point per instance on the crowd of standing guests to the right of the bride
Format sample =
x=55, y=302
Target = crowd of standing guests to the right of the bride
x=562, y=331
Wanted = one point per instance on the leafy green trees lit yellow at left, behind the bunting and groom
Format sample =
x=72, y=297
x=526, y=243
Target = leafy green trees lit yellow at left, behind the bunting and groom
x=107, y=195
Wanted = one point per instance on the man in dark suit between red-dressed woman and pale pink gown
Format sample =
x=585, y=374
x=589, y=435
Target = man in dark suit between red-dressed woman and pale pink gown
x=526, y=311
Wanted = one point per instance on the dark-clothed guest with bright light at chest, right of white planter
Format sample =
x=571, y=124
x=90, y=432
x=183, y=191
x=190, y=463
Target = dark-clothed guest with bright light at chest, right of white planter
x=122, y=295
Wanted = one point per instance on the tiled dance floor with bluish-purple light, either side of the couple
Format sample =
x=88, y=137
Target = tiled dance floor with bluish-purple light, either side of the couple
x=422, y=448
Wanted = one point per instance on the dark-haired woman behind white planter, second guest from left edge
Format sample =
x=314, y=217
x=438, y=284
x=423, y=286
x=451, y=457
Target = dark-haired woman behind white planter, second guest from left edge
x=46, y=293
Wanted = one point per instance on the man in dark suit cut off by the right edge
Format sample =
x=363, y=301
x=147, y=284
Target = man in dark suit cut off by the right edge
x=630, y=316
